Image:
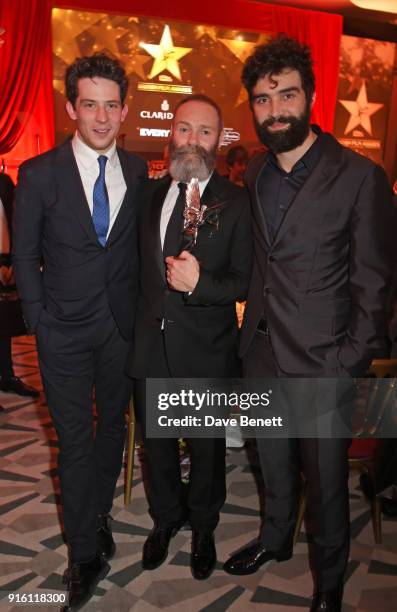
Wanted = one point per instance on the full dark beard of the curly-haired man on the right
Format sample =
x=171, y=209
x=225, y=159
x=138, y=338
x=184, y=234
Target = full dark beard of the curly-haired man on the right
x=284, y=140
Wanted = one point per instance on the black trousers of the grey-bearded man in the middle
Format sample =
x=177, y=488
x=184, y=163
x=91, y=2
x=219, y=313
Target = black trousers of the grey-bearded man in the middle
x=169, y=503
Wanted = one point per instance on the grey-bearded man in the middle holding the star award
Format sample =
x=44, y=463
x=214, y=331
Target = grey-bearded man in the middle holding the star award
x=186, y=324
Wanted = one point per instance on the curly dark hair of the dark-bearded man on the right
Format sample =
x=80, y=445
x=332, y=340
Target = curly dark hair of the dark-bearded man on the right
x=273, y=57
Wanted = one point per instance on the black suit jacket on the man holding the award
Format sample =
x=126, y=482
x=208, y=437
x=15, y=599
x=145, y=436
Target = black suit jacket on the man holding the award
x=200, y=331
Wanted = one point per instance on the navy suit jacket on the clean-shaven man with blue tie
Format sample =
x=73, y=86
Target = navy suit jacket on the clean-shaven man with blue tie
x=53, y=226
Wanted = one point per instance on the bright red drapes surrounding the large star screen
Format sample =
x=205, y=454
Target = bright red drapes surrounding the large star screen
x=27, y=62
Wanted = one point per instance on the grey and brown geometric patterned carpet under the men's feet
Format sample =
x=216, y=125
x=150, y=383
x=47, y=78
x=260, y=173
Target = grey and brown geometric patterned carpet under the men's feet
x=33, y=554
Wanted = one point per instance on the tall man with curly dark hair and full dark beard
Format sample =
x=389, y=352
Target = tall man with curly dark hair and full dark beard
x=316, y=306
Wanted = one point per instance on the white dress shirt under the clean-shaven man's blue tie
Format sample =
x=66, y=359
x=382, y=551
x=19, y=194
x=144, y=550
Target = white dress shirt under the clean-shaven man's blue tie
x=87, y=163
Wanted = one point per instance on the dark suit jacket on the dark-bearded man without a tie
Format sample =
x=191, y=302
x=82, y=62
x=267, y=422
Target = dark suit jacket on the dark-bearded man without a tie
x=322, y=284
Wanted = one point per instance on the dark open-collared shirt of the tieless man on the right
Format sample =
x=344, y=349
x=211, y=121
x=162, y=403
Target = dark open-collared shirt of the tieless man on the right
x=277, y=188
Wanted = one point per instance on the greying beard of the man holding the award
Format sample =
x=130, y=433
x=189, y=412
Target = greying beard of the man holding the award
x=191, y=161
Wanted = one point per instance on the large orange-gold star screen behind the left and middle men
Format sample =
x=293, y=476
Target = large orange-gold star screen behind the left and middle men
x=165, y=61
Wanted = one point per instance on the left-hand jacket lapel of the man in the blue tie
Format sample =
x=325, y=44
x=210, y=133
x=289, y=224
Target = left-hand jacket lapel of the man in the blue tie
x=71, y=186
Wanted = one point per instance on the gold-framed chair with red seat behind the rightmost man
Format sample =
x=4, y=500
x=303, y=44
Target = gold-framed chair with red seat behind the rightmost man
x=372, y=399
